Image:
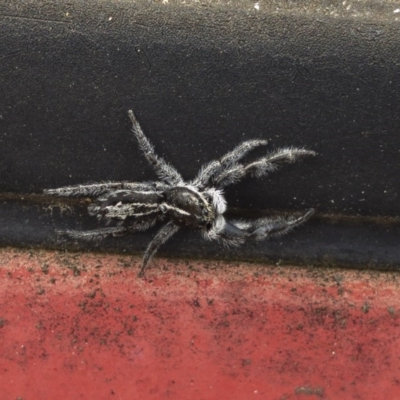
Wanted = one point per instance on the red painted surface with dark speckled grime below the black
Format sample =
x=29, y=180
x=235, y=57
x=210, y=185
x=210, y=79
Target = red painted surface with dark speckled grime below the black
x=78, y=326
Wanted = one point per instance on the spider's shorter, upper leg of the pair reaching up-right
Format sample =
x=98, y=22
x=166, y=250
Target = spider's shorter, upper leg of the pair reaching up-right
x=214, y=167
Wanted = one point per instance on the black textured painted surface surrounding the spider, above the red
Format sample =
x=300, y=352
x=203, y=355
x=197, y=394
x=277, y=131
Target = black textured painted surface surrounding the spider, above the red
x=202, y=78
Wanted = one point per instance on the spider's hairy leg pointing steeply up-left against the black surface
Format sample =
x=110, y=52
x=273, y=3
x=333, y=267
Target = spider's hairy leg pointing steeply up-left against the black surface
x=164, y=171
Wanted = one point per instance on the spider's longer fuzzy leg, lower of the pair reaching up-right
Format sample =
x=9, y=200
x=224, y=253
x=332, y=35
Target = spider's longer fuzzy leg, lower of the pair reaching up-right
x=260, y=167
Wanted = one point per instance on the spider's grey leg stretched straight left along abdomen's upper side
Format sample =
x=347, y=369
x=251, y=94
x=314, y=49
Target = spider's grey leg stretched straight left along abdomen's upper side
x=98, y=189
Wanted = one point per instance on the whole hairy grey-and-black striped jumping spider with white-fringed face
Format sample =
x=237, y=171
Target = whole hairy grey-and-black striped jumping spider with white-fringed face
x=198, y=204
